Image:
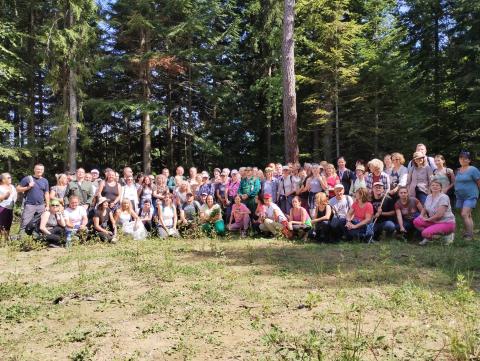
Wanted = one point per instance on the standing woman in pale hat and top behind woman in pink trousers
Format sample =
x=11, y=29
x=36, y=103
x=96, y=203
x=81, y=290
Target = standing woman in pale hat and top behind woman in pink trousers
x=419, y=177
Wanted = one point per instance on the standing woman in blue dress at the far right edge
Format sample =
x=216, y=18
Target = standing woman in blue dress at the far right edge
x=467, y=183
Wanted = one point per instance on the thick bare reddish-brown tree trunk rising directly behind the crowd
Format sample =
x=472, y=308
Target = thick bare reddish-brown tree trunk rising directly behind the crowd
x=289, y=95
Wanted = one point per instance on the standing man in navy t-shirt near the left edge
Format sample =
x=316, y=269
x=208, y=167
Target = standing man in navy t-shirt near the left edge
x=37, y=195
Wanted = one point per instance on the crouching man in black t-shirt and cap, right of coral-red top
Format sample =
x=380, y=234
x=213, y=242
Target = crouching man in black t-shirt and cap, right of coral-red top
x=385, y=215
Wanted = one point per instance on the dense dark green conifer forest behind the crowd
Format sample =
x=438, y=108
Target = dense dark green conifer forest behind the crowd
x=154, y=83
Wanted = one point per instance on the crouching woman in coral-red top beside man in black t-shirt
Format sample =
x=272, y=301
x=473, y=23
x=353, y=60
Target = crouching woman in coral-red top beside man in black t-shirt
x=359, y=215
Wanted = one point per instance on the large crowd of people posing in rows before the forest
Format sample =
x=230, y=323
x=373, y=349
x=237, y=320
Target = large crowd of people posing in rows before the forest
x=323, y=202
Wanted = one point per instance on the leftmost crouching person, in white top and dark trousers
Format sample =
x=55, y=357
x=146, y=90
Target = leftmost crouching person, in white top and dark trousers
x=52, y=223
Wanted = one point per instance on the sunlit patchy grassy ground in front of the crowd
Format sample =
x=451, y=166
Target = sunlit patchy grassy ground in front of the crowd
x=231, y=299
